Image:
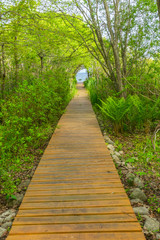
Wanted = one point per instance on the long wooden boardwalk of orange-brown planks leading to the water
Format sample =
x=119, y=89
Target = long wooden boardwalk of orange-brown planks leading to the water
x=76, y=193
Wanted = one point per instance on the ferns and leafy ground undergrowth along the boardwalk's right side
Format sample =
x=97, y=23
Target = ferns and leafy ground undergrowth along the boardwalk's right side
x=130, y=123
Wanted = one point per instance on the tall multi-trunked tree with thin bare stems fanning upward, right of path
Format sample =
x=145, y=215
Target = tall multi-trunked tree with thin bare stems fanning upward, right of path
x=117, y=27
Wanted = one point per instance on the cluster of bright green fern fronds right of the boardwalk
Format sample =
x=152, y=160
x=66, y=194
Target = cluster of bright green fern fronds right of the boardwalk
x=131, y=113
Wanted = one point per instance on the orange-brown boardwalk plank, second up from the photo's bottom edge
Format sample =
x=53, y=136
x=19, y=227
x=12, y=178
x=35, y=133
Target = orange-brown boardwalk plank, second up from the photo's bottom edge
x=80, y=228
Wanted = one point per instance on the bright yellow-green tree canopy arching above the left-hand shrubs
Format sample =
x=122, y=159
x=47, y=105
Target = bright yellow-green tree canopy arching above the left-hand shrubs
x=34, y=41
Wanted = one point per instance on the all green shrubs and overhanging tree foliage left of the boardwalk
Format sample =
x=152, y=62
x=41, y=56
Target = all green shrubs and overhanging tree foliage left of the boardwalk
x=38, y=55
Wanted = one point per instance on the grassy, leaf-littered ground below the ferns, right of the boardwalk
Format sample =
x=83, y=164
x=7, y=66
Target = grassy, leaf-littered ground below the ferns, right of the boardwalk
x=139, y=153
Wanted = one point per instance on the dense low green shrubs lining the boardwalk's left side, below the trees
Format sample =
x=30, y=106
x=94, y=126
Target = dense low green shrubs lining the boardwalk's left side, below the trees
x=28, y=119
